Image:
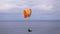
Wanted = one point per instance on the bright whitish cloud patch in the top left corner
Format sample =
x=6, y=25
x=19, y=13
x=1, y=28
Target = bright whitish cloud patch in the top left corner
x=6, y=4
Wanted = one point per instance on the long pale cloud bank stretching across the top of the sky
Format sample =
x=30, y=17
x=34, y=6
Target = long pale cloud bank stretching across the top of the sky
x=40, y=4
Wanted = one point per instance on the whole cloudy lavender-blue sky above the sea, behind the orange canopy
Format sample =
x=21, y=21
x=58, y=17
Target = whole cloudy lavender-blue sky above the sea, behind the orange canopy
x=41, y=9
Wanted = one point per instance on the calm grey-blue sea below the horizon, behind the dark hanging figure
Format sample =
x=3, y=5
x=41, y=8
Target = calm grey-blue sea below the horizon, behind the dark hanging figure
x=37, y=27
